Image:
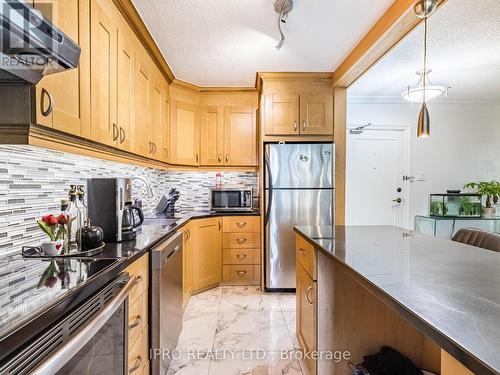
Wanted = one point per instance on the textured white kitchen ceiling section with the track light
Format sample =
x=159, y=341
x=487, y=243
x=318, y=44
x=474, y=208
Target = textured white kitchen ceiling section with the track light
x=225, y=42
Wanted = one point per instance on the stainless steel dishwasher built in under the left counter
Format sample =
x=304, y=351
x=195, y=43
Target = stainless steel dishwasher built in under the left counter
x=166, y=301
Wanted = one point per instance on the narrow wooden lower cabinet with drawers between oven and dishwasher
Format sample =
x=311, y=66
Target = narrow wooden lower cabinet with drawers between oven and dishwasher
x=138, y=329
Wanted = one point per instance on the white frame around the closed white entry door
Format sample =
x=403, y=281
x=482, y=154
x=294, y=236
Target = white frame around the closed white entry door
x=406, y=163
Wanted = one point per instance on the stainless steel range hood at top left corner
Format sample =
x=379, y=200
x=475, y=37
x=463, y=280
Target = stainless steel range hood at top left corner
x=31, y=46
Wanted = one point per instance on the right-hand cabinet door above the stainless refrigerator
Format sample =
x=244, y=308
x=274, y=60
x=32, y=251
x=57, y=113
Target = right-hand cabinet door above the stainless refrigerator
x=316, y=114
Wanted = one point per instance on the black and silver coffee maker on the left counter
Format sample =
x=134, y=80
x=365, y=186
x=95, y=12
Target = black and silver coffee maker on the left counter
x=110, y=207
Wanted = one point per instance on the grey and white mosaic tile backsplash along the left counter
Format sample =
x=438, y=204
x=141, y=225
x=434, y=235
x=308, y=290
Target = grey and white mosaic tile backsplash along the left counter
x=34, y=180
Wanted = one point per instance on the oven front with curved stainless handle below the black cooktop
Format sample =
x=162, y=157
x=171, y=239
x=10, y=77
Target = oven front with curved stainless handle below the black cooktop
x=91, y=339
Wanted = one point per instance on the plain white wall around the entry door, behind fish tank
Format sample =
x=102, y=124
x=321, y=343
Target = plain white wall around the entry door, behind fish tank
x=464, y=145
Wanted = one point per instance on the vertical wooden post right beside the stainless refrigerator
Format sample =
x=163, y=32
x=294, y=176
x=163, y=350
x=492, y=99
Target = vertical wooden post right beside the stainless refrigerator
x=339, y=136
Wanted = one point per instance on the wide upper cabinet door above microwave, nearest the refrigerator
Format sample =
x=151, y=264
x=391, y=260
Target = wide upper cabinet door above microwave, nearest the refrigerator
x=240, y=136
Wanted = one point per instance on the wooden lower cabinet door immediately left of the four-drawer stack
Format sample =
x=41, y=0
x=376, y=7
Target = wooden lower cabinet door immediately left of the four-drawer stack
x=207, y=252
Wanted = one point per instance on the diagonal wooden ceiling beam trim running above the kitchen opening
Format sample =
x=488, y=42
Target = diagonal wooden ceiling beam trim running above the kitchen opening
x=389, y=30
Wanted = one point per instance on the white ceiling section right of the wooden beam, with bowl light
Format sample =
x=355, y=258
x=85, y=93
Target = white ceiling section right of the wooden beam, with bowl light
x=463, y=52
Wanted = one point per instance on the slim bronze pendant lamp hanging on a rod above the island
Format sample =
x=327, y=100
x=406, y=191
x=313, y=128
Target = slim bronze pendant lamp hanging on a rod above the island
x=423, y=9
